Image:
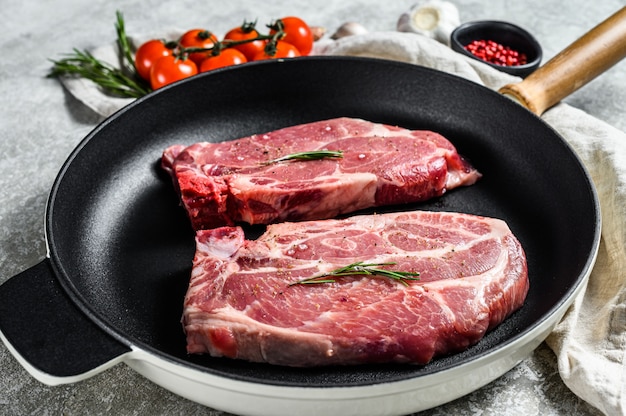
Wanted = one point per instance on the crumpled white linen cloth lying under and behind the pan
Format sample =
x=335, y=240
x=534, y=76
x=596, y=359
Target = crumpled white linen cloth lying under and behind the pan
x=590, y=341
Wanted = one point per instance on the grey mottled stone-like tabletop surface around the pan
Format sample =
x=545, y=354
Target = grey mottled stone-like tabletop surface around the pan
x=41, y=124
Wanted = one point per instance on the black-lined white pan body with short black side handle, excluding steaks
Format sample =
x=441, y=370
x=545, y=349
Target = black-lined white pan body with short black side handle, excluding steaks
x=120, y=246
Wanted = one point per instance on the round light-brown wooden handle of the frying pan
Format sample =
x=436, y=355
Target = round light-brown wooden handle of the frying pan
x=595, y=52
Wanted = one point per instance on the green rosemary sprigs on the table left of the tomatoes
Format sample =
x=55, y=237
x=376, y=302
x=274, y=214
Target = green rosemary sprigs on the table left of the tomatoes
x=121, y=82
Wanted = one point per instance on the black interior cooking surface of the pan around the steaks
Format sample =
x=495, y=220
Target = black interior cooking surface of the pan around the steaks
x=123, y=246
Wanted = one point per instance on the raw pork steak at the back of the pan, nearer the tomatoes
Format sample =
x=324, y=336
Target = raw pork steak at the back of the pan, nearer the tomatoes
x=230, y=182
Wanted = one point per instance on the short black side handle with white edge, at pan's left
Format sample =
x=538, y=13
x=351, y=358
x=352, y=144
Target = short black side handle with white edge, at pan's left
x=48, y=334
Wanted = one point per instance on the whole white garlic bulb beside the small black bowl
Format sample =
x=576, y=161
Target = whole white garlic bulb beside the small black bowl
x=433, y=18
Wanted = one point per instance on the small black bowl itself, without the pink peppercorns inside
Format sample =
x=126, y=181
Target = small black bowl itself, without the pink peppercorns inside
x=504, y=33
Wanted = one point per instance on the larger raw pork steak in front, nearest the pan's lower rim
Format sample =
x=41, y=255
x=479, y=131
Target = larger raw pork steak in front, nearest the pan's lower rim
x=240, y=303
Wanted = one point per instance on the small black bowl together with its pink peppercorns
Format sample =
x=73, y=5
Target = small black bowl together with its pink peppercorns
x=501, y=45
